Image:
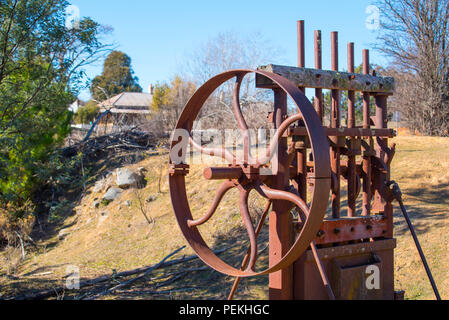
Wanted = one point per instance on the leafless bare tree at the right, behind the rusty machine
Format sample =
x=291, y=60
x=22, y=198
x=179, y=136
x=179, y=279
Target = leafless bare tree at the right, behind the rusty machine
x=415, y=35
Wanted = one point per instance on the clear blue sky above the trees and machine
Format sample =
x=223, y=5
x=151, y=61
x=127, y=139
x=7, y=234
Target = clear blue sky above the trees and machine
x=159, y=35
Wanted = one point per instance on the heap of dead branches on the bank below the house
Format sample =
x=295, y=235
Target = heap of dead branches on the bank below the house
x=129, y=140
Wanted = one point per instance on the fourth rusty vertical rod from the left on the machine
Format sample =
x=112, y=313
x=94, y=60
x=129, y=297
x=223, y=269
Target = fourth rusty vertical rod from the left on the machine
x=352, y=188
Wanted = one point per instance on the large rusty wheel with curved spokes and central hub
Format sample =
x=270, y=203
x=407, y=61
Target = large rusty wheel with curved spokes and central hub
x=244, y=174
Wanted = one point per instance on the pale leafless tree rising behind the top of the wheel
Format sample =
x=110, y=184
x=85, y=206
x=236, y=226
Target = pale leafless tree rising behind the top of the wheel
x=225, y=52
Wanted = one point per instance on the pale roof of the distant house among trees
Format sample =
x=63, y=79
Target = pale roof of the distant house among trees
x=128, y=102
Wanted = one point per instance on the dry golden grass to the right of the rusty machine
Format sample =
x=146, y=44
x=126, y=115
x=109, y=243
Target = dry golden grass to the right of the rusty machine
x=421, y=167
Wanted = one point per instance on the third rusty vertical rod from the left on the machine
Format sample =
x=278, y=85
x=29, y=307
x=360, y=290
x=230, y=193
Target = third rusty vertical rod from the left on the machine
x=335, y=123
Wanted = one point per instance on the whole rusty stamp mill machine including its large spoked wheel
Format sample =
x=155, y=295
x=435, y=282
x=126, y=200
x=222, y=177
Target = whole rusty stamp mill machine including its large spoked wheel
x=366, y=170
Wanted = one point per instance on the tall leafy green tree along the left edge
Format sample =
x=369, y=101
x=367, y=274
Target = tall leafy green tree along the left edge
x=41, y=70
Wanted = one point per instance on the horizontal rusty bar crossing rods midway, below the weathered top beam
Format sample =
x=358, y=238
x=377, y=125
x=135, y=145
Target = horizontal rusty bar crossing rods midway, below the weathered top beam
x=347, y=132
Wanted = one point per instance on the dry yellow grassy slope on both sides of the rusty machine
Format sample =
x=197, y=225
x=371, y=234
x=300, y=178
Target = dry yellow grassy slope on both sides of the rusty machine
x=118, y=237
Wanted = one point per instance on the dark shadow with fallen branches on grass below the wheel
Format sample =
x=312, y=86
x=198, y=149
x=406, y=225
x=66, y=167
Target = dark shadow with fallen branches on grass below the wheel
x=194, y=280
